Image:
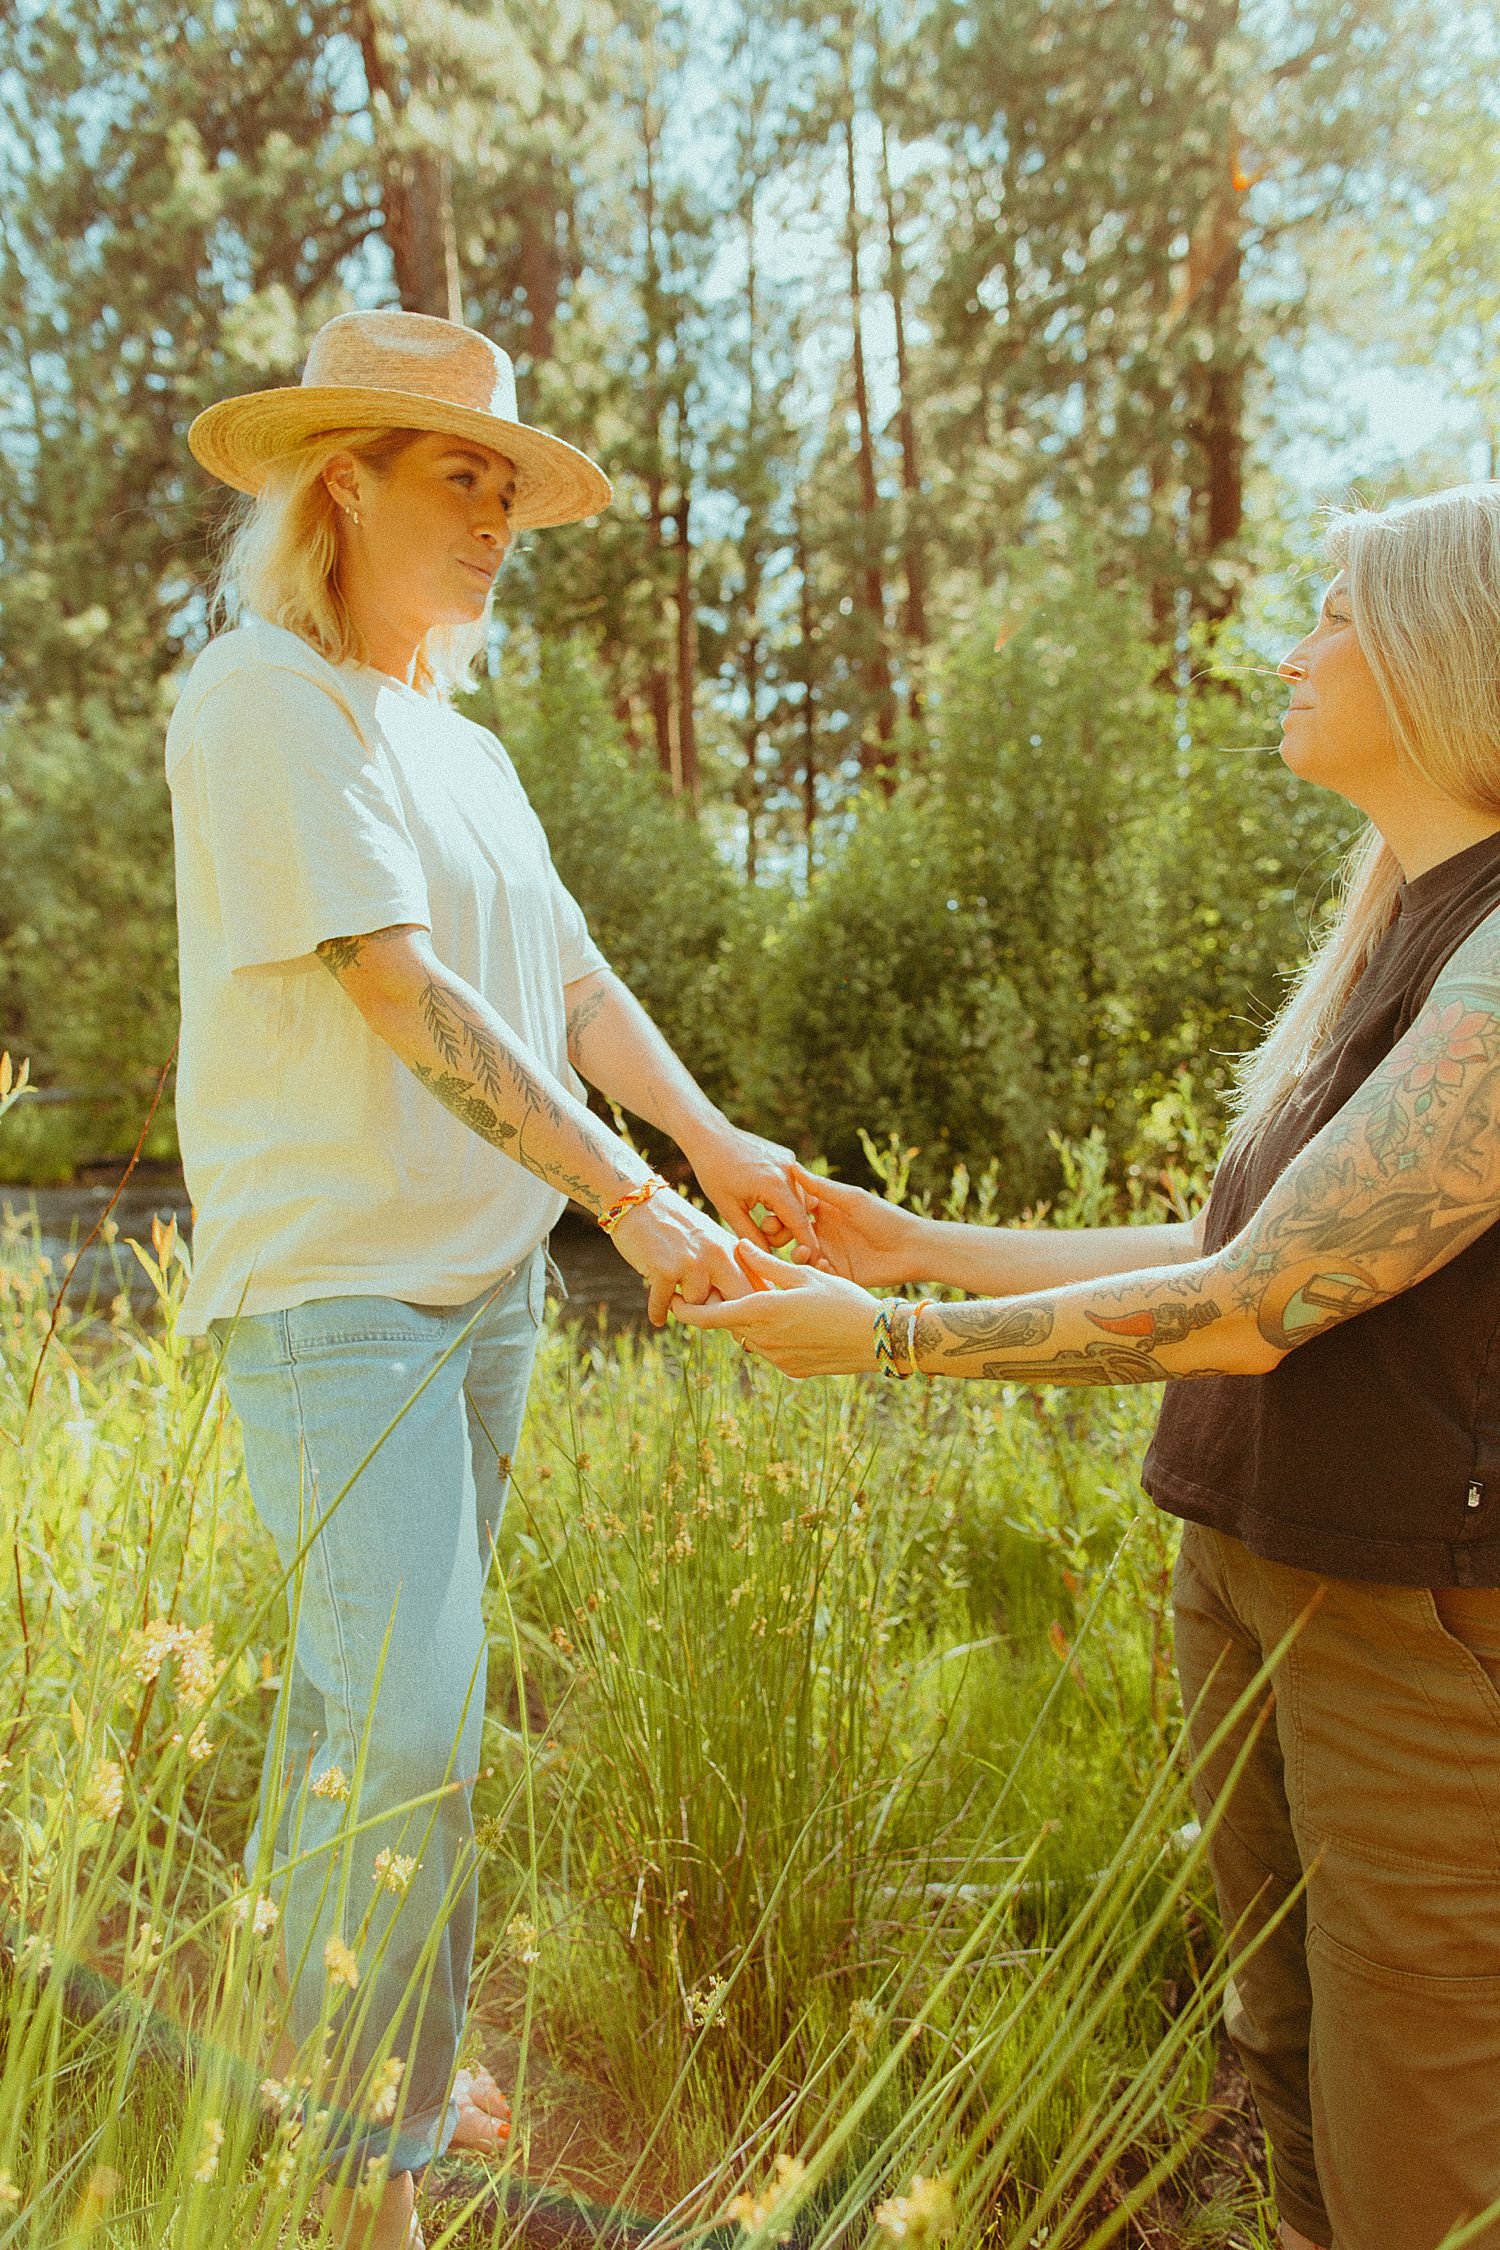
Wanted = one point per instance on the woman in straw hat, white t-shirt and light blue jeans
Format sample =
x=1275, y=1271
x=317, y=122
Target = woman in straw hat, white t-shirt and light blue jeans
x=390, y=1005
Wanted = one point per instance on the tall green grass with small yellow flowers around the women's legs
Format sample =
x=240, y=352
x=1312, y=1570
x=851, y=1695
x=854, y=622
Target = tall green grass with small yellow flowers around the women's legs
x=835, y=1851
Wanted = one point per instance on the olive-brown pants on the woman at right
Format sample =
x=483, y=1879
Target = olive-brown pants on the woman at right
x=1368, y=2022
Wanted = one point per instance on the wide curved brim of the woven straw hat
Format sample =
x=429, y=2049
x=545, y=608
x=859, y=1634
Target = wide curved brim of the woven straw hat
x=240, y=440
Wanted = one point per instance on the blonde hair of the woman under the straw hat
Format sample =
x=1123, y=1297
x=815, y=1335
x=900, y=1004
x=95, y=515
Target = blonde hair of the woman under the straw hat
x=282, y=564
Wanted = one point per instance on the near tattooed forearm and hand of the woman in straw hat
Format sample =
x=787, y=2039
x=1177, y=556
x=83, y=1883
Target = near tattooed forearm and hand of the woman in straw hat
x=473, y=1063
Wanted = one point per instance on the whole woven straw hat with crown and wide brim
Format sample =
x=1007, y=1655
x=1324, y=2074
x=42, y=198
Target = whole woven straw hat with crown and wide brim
x=404, y=372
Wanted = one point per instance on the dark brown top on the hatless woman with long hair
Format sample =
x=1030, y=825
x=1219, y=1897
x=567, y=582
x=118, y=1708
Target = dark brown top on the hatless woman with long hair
x=1373, y=1450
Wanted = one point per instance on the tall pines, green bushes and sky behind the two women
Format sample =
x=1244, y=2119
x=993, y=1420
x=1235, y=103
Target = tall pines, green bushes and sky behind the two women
x=968, y=377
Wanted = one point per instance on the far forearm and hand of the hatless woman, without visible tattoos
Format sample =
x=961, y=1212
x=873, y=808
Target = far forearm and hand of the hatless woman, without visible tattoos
x=880, y=1245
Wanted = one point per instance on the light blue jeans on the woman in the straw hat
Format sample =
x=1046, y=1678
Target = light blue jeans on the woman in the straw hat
x=386, y=1664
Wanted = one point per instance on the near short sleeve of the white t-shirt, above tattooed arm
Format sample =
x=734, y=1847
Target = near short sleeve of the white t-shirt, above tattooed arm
x=302, y=820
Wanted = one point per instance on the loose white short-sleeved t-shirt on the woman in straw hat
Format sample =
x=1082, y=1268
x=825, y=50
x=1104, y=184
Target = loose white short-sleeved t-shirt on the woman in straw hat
x=318, y=802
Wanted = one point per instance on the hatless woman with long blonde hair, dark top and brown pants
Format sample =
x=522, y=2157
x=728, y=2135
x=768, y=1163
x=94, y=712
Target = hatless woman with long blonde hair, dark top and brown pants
x=1330, y=1340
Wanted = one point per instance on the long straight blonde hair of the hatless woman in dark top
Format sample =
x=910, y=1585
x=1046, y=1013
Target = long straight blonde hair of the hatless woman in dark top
x=1425, y=600
